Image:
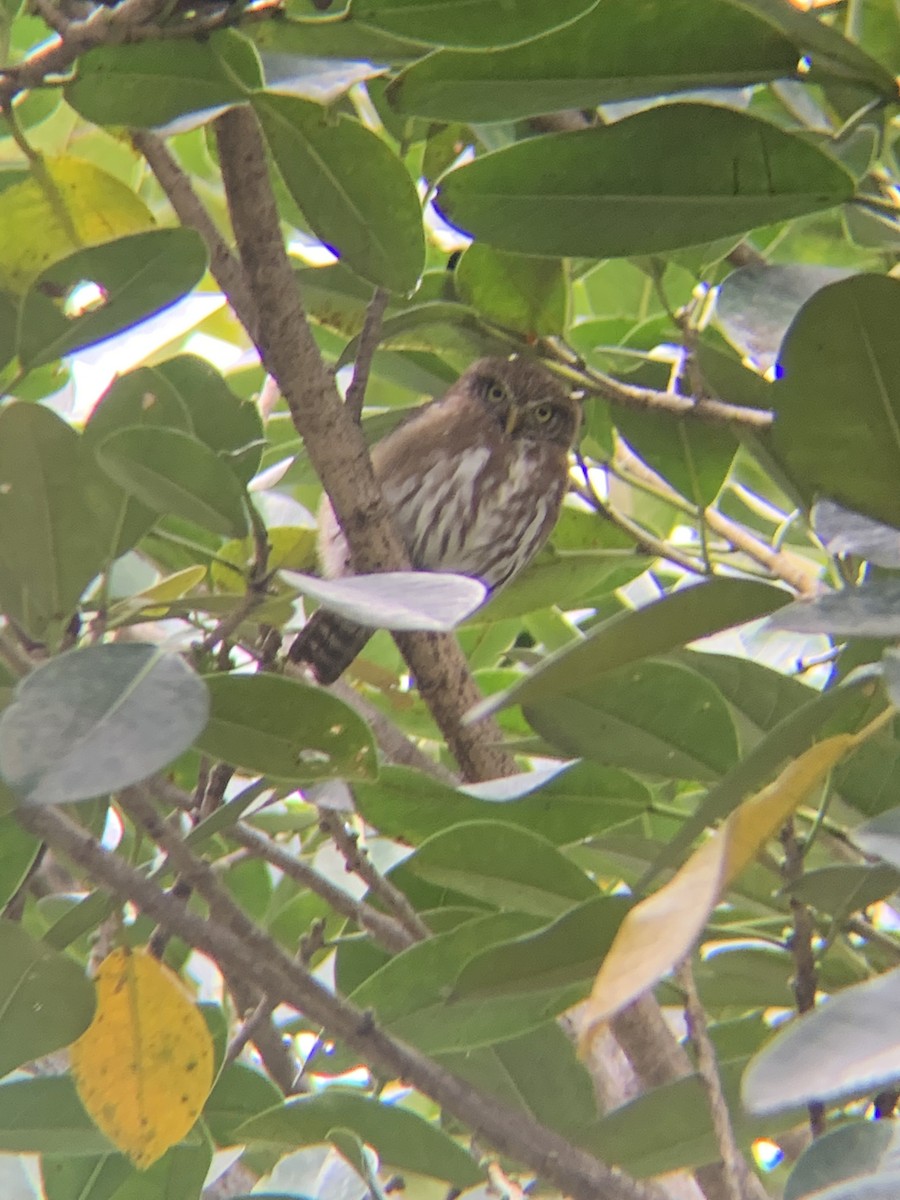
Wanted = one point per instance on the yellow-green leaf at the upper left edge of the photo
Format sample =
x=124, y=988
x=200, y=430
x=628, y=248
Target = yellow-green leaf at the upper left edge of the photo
x=74, y=206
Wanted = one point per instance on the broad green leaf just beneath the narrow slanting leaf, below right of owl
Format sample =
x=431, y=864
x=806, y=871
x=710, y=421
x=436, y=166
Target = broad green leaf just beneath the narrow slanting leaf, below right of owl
x=652, y=717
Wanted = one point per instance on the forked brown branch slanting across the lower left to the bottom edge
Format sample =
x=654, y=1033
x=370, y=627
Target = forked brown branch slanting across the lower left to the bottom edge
x=241, y=949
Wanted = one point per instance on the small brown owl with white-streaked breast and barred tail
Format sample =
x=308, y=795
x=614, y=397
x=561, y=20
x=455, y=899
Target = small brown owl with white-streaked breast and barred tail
x=475, y=482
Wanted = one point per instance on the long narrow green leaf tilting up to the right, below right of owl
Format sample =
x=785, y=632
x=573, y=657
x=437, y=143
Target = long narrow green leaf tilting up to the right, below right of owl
x=631, y=637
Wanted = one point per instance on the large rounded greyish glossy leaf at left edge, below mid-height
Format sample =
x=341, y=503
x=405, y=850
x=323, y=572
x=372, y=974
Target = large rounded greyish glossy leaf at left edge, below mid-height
x=98, y=719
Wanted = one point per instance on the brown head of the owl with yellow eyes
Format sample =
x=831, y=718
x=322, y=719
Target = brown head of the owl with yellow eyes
x=526, y=400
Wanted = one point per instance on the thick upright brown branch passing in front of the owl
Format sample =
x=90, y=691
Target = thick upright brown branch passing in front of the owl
x=334, y=441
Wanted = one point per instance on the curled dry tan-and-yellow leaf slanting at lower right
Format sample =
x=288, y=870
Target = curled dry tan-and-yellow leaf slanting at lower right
x=661, y=931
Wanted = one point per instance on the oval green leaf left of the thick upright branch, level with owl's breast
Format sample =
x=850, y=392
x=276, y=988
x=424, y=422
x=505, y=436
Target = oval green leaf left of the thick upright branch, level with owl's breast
x=175, y=473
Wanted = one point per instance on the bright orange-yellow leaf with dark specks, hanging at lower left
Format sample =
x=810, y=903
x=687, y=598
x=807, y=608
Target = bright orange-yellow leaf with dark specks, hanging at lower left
x=145, y=1066
